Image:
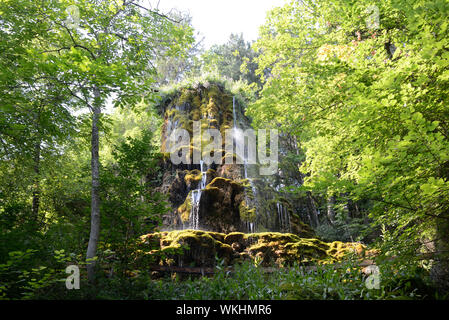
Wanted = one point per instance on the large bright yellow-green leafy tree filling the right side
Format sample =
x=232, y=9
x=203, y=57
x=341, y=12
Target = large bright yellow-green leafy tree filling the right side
x=364, y=94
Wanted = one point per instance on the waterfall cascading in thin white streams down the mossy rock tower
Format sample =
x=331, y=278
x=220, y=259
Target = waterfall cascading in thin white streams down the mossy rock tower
x=254, y=207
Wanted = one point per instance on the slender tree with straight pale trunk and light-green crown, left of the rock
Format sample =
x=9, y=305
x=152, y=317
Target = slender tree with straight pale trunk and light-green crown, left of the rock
x=102, y=50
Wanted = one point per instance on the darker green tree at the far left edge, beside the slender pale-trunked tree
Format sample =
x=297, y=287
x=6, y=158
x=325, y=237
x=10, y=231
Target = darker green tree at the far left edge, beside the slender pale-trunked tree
x=35, y=118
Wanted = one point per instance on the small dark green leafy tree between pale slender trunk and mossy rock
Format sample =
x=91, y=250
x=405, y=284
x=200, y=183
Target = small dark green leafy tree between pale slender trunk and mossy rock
x=131, y=207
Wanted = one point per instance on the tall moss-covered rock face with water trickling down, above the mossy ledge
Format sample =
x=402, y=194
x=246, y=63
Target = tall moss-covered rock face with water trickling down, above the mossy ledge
x=222, y=197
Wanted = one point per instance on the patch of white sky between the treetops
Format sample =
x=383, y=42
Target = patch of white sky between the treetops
x=217, y=19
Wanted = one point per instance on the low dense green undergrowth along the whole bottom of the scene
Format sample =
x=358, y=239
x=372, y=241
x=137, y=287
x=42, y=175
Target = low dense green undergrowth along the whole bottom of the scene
x=245, y=281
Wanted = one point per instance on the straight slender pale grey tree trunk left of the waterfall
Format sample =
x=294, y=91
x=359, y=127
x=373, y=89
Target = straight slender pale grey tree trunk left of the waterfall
x=95, y=193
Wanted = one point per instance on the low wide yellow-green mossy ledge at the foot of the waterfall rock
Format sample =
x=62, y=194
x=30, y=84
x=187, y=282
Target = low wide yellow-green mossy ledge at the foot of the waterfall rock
x=197, y=248
